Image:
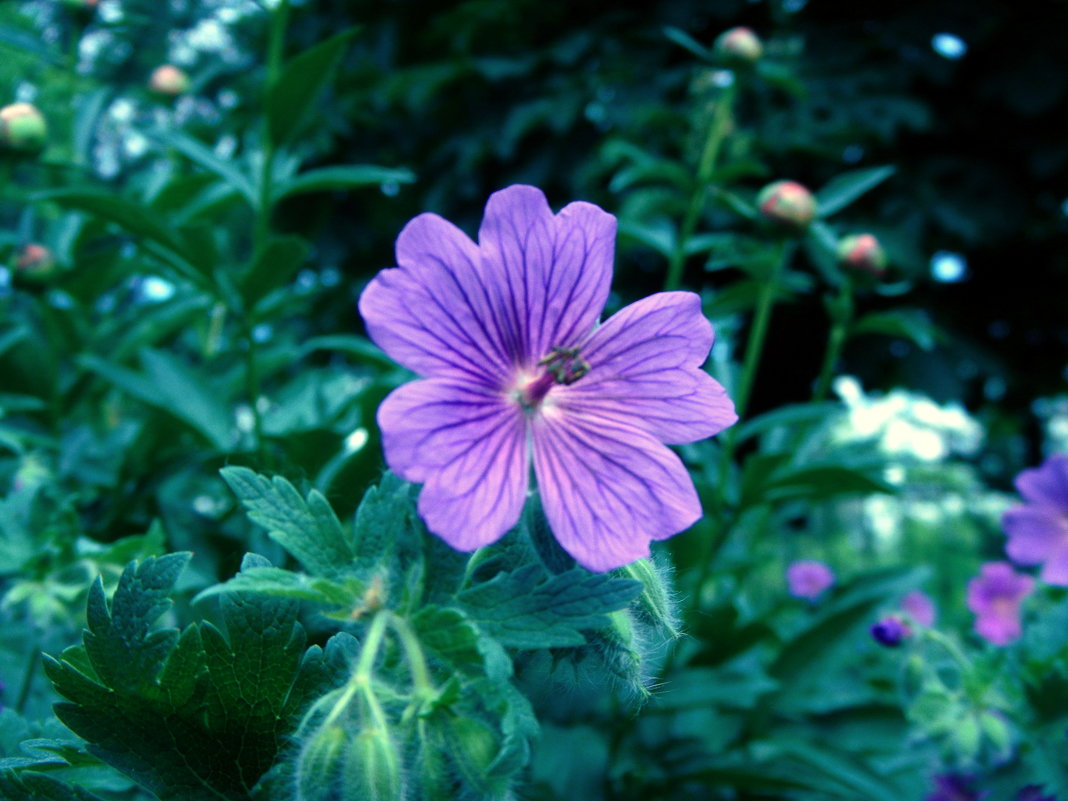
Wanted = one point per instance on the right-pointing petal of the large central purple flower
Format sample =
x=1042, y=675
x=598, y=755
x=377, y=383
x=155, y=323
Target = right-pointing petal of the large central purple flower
x=646, y=371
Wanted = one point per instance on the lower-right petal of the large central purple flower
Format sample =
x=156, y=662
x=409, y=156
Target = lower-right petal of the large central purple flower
x=608, y=489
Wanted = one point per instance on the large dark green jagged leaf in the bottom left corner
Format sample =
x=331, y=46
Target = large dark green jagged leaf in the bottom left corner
x=198, y=716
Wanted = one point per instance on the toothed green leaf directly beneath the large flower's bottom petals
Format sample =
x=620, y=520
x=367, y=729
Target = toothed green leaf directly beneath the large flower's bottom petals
x=524, y=609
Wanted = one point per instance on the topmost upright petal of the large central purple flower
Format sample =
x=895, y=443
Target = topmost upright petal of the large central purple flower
x=553, y=274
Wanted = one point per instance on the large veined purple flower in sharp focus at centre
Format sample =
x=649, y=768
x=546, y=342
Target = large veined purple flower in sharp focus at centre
x=516, y=370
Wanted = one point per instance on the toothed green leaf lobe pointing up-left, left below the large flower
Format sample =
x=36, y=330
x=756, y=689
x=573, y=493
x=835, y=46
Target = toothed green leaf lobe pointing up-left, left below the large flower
x=308, y=529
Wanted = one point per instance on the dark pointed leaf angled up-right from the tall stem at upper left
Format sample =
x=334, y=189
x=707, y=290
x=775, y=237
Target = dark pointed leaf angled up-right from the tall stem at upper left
x=292, y=98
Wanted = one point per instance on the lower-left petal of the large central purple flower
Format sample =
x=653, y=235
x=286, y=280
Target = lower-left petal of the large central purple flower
x=469, y=448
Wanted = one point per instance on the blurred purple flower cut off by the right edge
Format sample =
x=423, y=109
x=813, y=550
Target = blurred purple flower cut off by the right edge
x=1039, y=529
